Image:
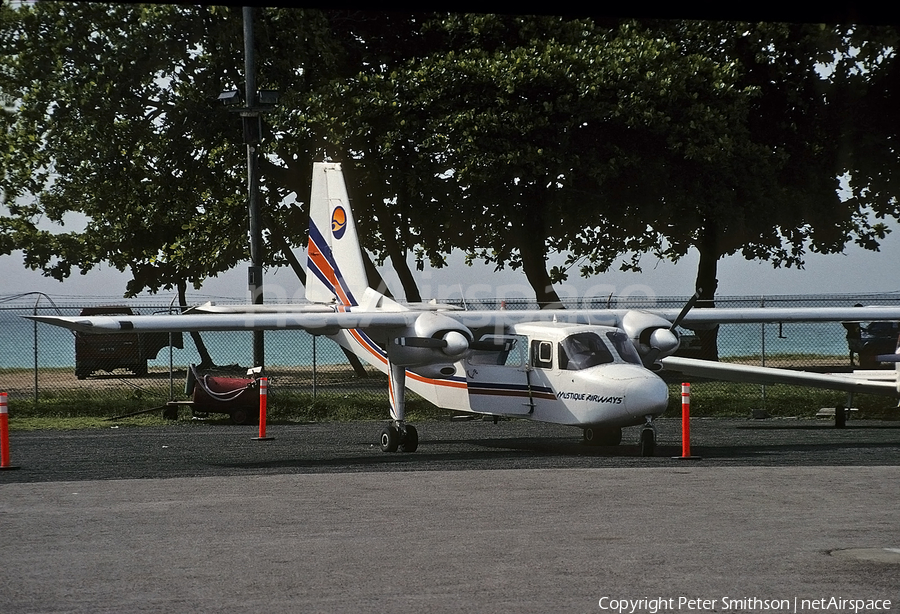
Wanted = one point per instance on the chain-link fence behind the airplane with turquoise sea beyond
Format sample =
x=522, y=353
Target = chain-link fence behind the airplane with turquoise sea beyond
x=53, y=369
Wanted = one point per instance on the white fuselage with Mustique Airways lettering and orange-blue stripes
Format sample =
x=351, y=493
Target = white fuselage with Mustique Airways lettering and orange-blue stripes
x=577, y=375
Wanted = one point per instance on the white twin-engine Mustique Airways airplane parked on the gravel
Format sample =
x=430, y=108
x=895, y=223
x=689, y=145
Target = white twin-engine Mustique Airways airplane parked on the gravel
x=590, y=369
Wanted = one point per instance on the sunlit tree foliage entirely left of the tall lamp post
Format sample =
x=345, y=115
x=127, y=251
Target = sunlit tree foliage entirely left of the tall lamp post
x=104, y=129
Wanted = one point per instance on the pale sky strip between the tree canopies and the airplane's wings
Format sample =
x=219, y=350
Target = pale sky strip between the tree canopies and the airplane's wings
x=855, y=271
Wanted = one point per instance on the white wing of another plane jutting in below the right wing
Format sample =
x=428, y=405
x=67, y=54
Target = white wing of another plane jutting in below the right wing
x=883, y=383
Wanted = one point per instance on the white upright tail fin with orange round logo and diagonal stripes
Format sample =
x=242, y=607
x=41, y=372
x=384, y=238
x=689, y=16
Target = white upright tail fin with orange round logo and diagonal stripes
x=336, y=271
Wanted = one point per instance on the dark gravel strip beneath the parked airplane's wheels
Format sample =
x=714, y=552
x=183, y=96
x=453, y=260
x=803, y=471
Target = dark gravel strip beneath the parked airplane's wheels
x=200, y=449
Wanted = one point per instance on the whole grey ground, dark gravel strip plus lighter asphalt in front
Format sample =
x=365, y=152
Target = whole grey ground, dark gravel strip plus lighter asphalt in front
x=777, y=516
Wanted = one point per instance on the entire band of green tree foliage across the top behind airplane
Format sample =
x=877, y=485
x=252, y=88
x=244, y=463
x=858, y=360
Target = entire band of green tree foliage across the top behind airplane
x=507, y=136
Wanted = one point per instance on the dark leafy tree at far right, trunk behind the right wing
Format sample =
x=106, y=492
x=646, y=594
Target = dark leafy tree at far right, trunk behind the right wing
x=758, y=170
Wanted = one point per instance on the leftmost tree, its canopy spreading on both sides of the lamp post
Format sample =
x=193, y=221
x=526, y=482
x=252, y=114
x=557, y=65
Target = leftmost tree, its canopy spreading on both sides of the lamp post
x=136, y=144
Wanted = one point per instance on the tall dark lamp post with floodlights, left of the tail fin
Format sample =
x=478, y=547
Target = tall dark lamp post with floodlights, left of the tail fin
x=257, y=103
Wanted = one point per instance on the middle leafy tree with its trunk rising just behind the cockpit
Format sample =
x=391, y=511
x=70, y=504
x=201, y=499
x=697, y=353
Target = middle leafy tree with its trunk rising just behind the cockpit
x=486, y=138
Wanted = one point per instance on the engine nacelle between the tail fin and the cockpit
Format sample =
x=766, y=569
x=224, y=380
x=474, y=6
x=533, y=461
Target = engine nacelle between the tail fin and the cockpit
x=433, y=340
